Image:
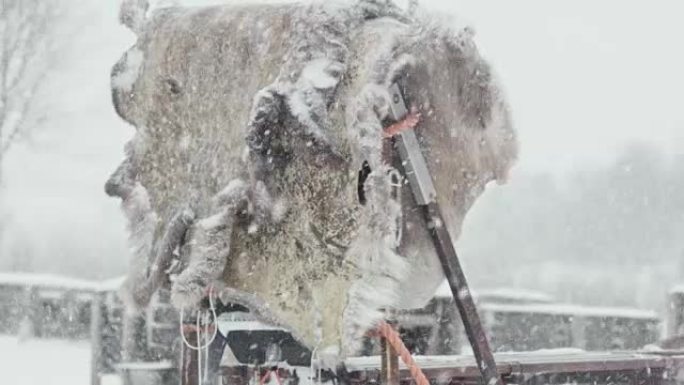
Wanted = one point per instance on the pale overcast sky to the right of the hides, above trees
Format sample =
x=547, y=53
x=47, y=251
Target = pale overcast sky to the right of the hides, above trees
x=585, y=77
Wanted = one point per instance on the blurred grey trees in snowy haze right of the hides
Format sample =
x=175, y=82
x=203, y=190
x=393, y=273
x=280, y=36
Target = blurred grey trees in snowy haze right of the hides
x=599, y=235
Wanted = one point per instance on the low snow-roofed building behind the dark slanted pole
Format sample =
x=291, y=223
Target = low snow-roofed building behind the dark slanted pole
x=524, y=320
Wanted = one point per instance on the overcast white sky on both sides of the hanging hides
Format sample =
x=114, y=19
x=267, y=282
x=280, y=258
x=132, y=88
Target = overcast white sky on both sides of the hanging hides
x=584, y=78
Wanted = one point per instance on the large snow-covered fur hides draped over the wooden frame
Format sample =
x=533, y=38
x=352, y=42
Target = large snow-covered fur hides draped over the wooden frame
x=258, y=119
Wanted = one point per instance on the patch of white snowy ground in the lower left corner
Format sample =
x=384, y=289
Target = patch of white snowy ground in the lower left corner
x=44, y=362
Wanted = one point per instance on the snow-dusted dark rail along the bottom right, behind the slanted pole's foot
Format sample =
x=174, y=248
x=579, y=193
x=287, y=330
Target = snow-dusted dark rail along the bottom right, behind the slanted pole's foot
x=547, y=367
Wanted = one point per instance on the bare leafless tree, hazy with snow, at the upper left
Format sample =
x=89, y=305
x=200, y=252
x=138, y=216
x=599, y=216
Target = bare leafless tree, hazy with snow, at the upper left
x=27, y=37
